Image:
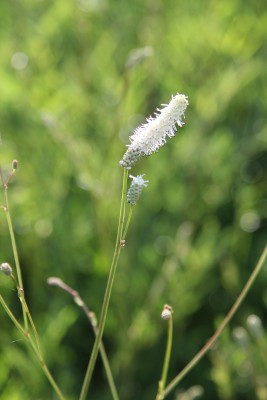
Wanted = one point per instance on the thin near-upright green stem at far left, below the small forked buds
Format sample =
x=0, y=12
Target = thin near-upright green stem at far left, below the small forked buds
x=15, y=252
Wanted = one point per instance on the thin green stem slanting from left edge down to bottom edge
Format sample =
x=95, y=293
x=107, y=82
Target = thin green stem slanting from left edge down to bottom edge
x=35, y=349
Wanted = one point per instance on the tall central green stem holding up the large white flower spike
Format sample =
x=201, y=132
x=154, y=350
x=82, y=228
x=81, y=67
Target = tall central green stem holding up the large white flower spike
x=107, y=295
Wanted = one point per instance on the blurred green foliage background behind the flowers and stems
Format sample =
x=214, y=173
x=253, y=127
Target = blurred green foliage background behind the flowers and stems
x=77, y=76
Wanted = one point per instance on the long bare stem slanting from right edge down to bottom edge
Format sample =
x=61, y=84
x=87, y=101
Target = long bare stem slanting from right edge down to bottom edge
x=225, y=322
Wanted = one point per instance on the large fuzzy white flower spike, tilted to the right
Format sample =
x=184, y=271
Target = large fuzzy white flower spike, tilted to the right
x=151, y=136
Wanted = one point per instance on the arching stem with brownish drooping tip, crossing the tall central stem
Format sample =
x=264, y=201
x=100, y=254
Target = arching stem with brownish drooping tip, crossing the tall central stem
x=93, y=321
